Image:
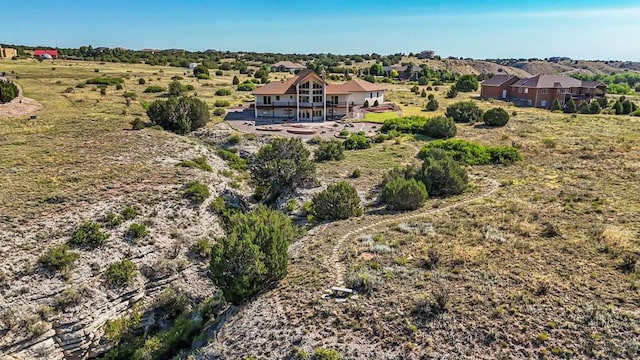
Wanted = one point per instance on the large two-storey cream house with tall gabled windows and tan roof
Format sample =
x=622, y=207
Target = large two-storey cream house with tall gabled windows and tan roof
x=307, y=96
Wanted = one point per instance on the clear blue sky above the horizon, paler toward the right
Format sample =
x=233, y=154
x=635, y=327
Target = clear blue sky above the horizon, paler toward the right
x=480, y=29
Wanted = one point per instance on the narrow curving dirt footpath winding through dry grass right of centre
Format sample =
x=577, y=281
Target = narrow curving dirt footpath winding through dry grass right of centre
x=338, y=266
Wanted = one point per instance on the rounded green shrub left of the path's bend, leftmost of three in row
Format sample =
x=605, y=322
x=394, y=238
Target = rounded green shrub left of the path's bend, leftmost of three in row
x=338, y=201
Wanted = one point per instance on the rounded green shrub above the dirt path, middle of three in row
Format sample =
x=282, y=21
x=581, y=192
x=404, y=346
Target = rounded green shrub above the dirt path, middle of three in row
x=404, y=194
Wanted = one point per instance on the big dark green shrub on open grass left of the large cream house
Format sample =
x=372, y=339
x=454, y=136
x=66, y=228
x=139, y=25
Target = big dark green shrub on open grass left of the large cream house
x=180, y=115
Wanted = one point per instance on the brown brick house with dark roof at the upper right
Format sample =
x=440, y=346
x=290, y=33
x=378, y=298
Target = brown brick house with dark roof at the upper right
x=541, y=90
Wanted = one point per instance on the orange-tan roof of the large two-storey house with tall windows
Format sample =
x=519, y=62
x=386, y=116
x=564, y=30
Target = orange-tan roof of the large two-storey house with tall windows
x=288, y=86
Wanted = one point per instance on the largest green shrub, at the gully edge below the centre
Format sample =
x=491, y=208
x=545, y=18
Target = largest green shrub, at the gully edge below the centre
x=253, y=254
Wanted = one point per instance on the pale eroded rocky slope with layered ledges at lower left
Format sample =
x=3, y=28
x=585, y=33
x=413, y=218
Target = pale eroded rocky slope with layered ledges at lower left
x=63, y=315
